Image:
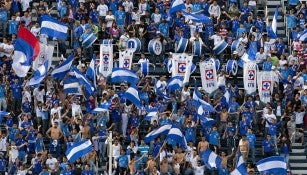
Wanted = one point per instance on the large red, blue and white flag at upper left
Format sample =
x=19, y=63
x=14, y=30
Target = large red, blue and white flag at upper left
x=27, y=48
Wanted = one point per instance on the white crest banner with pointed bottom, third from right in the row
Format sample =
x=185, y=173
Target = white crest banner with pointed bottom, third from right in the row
x=208, y=76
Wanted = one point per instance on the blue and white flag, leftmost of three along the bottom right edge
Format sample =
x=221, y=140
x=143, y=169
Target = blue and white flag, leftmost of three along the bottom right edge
x=210, y=159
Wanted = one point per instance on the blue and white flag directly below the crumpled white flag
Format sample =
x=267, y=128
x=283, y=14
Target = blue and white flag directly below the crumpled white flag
x=39, y=74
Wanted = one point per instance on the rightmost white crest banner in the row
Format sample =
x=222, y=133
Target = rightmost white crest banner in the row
x=265, y=84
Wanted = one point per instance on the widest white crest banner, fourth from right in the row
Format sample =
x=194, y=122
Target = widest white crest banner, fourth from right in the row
x=181, y=66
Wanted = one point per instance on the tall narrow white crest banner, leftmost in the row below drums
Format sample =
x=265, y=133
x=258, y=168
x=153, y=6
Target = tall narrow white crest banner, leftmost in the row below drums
x=106, y=59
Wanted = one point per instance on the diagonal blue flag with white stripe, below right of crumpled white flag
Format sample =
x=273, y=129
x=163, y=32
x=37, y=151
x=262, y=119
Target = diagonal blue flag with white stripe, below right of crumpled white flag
x=61, y=70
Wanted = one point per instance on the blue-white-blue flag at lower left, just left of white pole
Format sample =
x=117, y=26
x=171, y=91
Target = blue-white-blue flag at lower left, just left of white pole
x=78, y=150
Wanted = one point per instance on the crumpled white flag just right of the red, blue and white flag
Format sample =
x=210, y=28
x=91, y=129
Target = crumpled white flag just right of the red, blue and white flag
x=46, y=53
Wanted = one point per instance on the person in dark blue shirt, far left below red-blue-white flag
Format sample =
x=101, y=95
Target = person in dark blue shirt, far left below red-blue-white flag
x=17, y=95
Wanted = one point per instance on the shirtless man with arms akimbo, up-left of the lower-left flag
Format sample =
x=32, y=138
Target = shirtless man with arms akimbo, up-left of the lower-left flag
x=54, y=134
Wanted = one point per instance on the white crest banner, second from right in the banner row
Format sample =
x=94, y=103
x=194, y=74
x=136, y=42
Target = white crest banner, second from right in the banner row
x=250, y=77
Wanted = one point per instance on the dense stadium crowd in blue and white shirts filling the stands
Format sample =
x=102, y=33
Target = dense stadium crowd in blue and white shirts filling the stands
x=43, y=121
